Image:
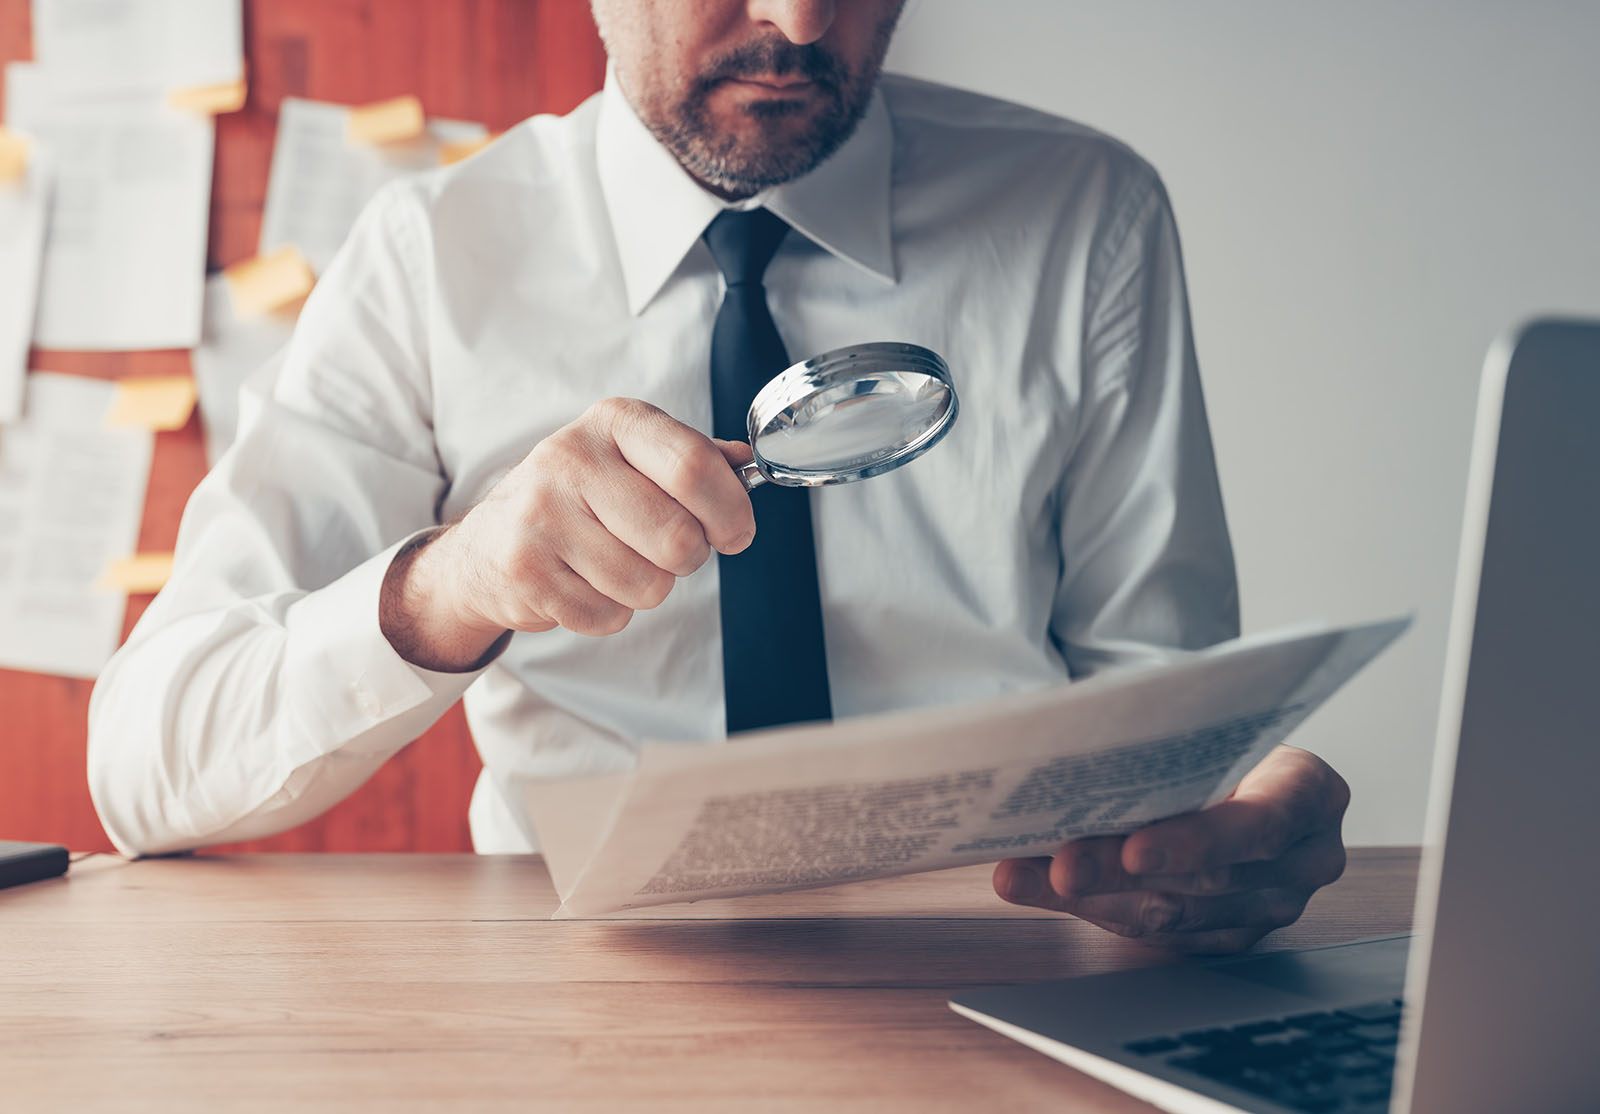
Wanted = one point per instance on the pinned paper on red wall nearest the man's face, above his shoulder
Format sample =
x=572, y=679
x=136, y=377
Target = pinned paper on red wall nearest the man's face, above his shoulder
x=321, y=180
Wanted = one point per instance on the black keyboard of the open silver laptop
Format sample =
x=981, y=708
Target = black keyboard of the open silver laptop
x=1340, y=1060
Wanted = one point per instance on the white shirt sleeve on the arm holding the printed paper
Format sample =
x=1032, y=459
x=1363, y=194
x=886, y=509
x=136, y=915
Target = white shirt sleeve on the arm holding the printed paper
x=1146, y=563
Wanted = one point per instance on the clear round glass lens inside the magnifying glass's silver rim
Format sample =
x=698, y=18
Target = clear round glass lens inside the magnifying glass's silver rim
x=855, y=423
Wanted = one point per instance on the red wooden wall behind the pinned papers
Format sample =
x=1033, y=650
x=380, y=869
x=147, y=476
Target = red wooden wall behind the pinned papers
x=494, y=62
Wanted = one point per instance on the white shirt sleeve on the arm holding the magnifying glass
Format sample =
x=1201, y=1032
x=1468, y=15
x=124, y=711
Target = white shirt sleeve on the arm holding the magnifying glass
x=258, y=689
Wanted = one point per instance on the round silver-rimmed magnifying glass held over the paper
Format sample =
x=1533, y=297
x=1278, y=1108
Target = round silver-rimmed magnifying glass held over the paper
x=849, y=415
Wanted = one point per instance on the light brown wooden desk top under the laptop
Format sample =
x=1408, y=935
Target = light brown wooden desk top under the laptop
x=249, y=984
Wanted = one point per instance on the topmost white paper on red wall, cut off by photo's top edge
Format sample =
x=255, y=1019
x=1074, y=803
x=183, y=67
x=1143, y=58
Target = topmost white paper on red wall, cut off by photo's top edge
x=138, y=46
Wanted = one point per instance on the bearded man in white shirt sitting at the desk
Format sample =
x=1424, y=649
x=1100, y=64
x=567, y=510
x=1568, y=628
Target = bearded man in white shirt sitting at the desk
x=519, y=348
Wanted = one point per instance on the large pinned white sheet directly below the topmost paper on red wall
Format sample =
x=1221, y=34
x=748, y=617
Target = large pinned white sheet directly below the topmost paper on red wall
x=126, y=247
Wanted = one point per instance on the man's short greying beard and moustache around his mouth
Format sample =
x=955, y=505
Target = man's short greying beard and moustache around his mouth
x=751, y=166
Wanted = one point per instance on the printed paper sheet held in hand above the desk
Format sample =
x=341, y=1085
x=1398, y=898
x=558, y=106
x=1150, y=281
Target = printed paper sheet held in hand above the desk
x=922, y=791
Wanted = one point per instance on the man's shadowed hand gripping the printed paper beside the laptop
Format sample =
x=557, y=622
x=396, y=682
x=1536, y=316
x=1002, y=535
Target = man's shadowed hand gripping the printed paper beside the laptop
x=1212, y=881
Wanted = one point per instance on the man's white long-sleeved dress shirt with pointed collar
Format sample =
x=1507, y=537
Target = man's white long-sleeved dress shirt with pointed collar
x=1071, y=519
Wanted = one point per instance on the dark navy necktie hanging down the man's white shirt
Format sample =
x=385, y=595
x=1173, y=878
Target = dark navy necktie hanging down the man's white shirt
x=775, y=670
